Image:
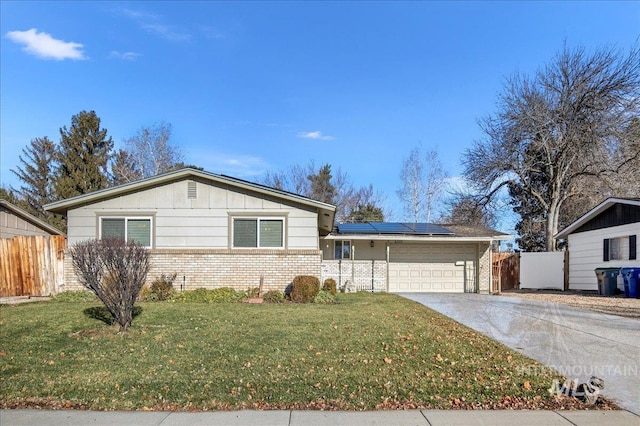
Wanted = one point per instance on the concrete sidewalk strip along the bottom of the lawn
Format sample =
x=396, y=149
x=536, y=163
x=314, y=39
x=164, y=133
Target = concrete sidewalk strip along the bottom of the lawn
x=311, y=418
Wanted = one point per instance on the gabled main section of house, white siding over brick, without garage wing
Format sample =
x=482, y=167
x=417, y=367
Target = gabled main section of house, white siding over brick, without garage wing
x=210, y=230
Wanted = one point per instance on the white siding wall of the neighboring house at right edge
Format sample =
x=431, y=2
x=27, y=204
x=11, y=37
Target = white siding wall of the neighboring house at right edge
x=585, y=255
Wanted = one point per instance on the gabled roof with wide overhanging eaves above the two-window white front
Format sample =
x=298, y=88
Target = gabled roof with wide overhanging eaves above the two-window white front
x=326, y=212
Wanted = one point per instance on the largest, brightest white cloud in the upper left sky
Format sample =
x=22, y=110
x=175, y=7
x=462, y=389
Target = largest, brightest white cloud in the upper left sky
x=44, y=46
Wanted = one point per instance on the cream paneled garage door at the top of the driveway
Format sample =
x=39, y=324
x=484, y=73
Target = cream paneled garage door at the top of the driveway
x=431, y=268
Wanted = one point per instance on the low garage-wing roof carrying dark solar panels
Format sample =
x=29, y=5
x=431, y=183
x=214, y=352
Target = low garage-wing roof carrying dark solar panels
x=415, y=231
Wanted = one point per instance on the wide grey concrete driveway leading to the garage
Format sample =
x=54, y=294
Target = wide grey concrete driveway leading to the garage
x=576, y=342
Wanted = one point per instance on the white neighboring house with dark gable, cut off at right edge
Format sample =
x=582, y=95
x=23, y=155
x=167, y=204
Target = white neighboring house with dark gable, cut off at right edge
x=606, y=236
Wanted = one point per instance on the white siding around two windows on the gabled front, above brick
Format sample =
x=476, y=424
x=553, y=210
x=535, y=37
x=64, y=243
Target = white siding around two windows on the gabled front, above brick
x=200, y=223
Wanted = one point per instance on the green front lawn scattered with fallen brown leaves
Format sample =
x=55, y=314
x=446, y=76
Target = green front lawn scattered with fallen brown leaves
x=368, y=351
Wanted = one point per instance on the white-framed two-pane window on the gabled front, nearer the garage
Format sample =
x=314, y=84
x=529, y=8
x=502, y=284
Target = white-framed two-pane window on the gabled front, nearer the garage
x=258, y=233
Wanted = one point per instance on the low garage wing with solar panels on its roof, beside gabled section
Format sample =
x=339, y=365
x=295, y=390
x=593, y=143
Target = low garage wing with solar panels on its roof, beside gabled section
x=408, y=257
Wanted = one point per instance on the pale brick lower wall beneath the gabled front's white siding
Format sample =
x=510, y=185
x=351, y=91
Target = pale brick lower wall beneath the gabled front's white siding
x=239, y=269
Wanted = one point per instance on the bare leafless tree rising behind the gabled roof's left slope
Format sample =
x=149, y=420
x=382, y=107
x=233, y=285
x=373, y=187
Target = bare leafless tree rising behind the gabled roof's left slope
x=152, y=152
